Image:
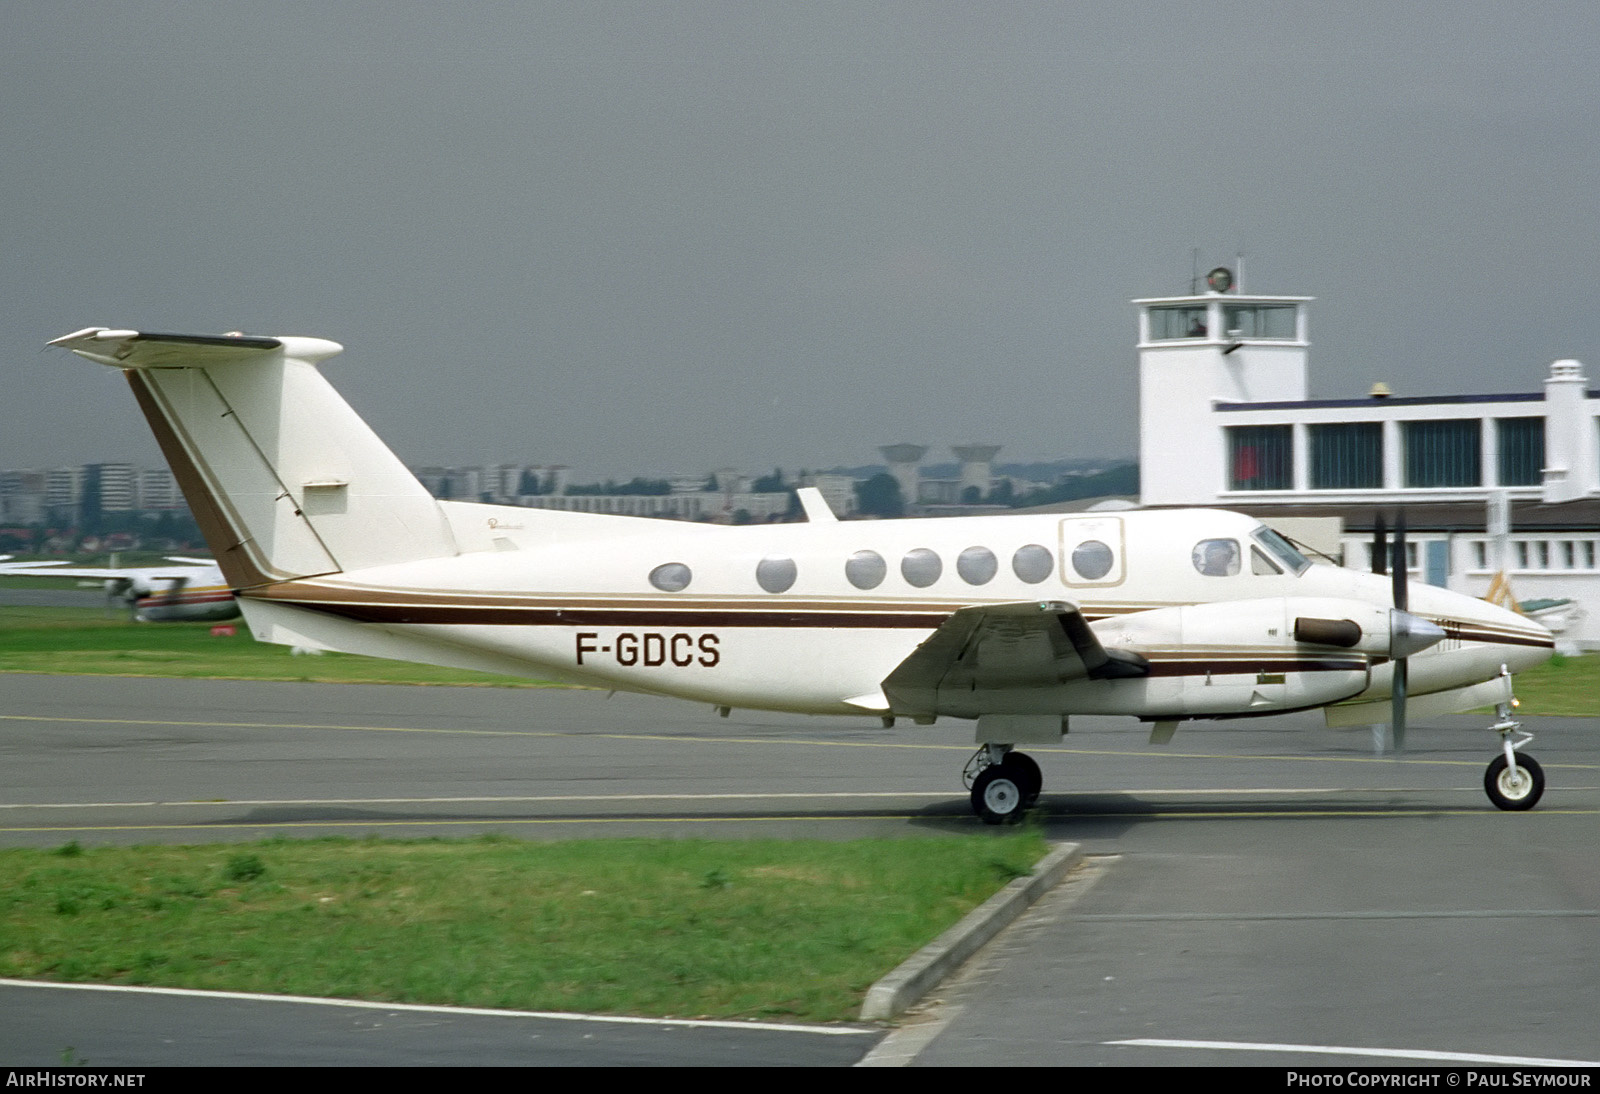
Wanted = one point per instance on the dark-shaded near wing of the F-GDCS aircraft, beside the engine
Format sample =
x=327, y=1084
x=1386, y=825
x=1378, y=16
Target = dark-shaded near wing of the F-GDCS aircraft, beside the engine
x=1004, y=647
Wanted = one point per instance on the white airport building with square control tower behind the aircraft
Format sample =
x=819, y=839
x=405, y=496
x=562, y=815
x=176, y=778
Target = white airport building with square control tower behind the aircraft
x=1226, y=420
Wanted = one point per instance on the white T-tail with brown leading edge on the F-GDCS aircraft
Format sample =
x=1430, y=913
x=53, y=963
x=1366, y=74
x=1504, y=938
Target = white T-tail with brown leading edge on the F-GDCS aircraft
x=284, y=479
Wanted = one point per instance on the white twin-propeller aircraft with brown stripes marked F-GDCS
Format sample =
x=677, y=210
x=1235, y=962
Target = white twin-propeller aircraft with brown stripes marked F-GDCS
x=1015, y=623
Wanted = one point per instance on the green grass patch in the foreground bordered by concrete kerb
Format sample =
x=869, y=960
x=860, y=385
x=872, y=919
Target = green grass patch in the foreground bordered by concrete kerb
x=641, y=927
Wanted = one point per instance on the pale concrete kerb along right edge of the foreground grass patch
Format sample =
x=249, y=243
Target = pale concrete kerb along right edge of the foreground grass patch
x=932, y=964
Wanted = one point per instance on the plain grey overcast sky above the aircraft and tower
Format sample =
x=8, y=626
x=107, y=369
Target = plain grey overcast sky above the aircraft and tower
x=650, y=238
